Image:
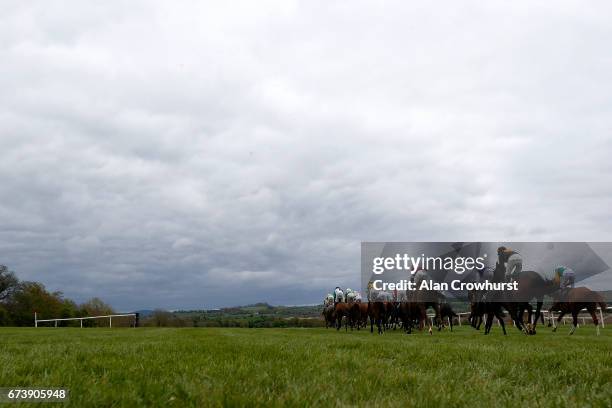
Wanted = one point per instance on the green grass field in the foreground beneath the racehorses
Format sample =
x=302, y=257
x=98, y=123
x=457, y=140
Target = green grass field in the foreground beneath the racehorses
x=311, y=367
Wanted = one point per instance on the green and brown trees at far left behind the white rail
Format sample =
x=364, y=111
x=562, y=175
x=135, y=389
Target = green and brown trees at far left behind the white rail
x=20, y=299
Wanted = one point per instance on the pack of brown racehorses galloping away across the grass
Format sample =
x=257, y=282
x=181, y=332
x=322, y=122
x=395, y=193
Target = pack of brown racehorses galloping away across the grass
x=484, y=307
